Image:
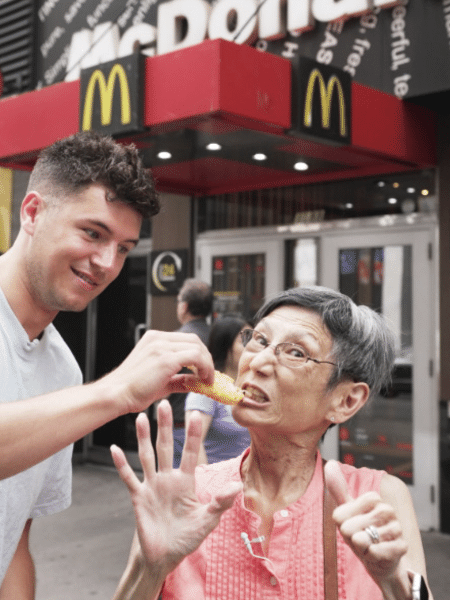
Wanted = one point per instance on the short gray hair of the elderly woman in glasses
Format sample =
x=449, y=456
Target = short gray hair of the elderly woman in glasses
x=363, y=344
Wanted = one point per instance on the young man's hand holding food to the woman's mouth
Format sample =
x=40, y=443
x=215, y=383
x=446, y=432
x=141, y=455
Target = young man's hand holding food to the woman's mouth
x=151, y=370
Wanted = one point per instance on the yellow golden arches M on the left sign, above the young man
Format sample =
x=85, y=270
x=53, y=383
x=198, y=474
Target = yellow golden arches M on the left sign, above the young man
x=106, y=91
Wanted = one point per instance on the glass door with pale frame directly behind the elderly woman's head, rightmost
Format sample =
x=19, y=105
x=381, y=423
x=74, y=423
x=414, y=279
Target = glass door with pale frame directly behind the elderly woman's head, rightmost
x=392, y=272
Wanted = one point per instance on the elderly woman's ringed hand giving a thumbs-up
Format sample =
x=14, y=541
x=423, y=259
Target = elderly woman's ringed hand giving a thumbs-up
x=382, y=553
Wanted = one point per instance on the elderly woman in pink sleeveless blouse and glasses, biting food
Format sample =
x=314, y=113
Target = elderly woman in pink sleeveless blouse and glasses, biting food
x=262, y=525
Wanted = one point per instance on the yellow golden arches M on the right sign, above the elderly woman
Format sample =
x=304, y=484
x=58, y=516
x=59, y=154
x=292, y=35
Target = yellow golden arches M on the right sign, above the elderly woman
x=326, y=97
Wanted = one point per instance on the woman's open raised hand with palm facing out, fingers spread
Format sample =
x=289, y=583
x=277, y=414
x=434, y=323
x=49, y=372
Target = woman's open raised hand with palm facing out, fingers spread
x=171, y=521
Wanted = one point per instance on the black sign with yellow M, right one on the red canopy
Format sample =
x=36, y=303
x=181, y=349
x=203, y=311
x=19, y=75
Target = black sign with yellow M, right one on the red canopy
x=321, y=102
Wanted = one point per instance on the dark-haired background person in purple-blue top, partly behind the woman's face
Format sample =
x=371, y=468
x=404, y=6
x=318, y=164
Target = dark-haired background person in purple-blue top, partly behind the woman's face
x=222, y=437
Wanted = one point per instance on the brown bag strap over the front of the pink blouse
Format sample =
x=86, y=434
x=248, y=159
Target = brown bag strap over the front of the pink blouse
x=329, y=544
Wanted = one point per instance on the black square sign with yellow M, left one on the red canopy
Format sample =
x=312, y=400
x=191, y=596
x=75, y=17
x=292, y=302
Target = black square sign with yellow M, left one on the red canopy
x=111, y=96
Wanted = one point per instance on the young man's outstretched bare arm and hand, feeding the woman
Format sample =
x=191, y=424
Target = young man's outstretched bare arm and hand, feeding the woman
x=33, y=429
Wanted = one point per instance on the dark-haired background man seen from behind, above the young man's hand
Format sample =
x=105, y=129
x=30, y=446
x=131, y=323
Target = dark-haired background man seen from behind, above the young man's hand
x=194, y=305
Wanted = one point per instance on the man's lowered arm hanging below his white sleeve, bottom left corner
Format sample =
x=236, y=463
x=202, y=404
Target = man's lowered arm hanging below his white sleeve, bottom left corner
x=19, y=582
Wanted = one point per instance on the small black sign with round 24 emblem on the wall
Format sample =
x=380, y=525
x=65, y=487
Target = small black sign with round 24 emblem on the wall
x=168, y=271
